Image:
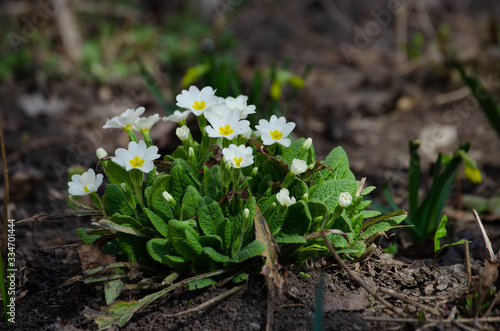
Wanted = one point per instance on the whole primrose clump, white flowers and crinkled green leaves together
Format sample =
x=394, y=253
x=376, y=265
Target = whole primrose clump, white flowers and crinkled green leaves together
x=201, y=207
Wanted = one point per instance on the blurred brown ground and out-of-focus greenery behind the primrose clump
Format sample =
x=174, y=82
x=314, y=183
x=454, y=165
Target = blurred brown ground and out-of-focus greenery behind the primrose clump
x=368, y=76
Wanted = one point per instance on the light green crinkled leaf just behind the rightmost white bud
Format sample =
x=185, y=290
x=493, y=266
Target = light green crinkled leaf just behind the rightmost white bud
x=328, y=192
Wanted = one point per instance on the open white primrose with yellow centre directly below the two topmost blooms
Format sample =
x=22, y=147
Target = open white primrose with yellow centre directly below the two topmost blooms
x=227, y=126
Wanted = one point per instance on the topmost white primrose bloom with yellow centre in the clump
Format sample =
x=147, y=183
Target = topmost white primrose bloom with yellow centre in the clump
x=195, y=100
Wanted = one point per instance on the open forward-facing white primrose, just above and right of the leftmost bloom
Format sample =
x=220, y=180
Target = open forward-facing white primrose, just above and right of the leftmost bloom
x=138, y=156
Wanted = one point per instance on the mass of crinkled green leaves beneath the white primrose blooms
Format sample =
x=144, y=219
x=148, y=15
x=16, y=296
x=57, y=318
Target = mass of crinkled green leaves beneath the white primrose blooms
x=202, y=213
